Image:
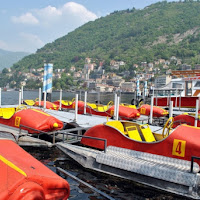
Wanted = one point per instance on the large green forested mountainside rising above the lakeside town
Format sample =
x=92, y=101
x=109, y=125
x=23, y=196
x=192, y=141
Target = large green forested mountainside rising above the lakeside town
x=161, y=30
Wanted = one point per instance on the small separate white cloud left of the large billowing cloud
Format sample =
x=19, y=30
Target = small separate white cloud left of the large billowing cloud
x=27, y=18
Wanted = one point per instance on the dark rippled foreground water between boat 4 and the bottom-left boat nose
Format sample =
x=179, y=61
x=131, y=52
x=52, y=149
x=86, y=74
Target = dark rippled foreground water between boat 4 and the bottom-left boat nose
x=118, y=189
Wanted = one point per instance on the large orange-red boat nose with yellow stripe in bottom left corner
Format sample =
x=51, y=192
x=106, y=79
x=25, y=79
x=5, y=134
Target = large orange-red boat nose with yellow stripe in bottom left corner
x=25, y=178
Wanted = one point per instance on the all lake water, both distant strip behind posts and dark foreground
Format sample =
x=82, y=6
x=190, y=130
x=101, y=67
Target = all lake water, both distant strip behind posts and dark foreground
x=116, y=188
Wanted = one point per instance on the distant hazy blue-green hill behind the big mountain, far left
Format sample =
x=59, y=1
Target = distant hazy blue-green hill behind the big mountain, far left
x=8, y=58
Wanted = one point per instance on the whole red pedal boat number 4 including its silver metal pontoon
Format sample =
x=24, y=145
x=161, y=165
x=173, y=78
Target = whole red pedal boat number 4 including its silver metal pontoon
x=159, y=158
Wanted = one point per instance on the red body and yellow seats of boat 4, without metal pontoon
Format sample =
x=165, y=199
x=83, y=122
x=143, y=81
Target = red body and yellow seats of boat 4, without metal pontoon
x=182, y=142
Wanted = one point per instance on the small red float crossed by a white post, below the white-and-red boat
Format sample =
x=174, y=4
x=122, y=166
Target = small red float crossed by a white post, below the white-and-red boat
x=157, y=111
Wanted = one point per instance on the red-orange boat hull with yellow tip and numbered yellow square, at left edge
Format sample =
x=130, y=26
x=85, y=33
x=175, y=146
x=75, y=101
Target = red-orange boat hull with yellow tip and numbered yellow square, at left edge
x=33, y=118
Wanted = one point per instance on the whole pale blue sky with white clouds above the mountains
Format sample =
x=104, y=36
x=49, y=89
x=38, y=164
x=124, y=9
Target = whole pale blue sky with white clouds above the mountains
x=27, y=25
